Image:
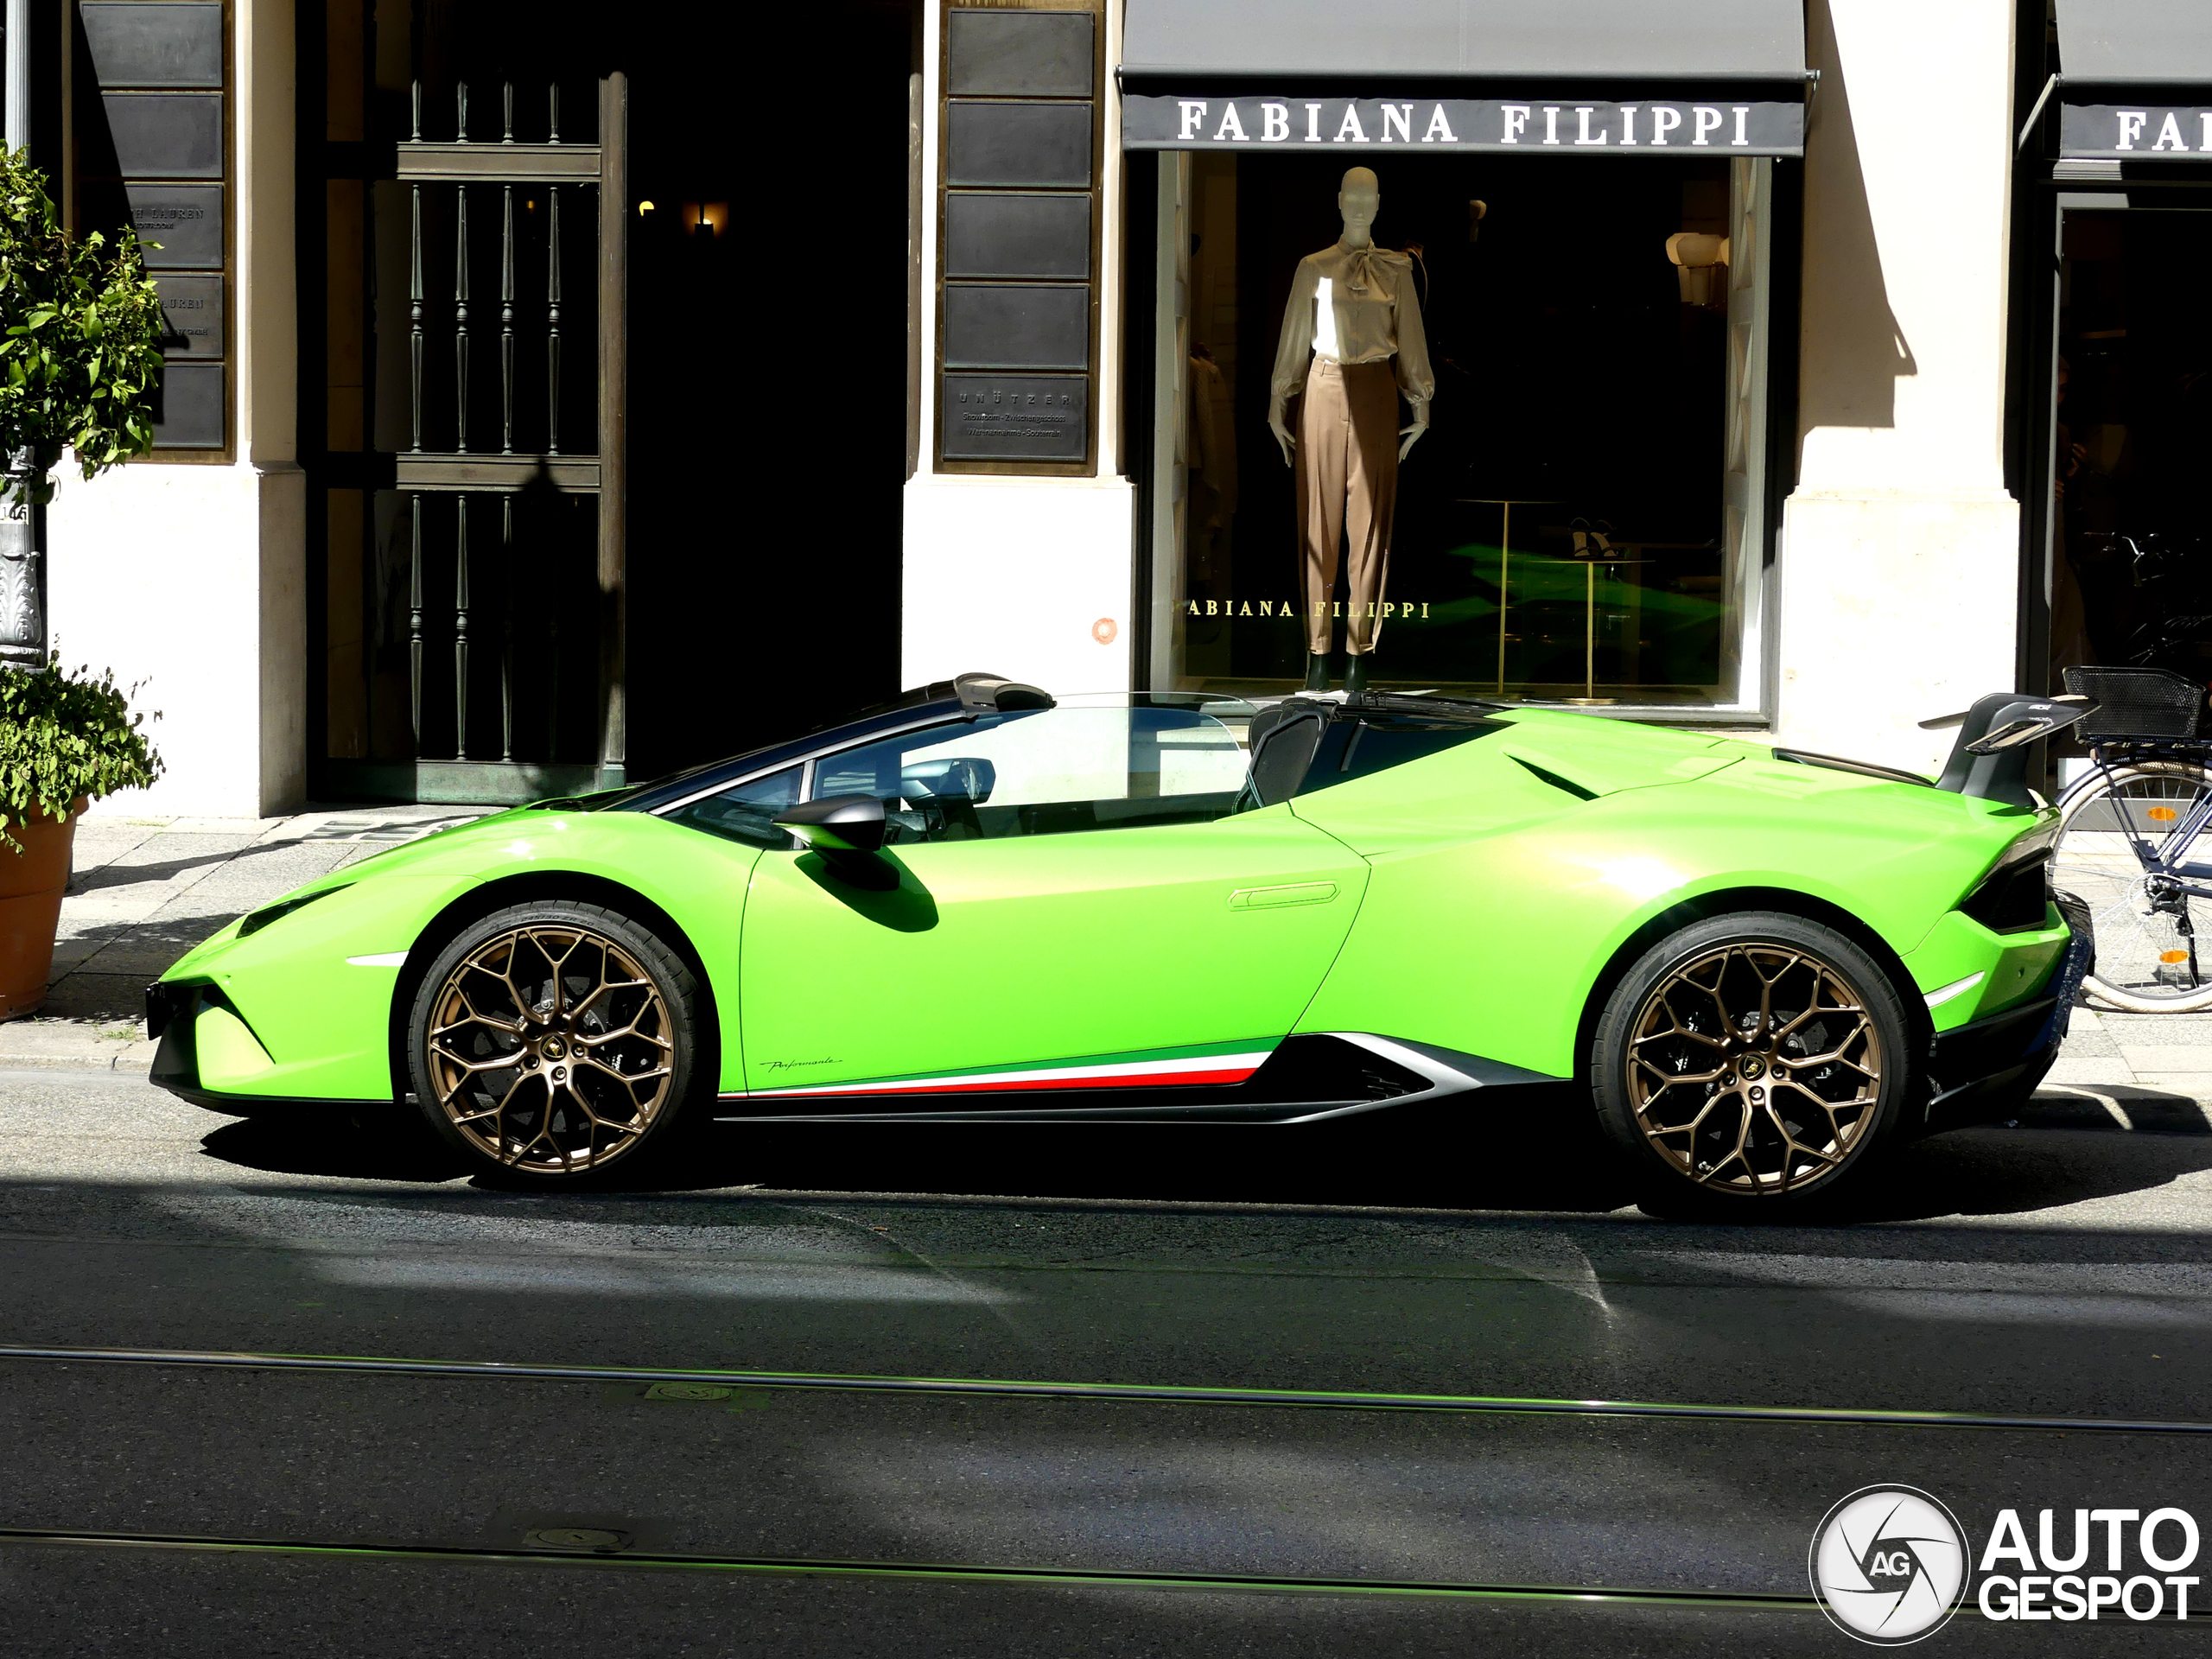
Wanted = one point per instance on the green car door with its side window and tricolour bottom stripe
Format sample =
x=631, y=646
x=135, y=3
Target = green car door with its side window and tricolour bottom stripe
x=1078, y=906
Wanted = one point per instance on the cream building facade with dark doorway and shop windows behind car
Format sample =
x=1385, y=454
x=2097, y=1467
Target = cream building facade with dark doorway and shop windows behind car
x=534, y=426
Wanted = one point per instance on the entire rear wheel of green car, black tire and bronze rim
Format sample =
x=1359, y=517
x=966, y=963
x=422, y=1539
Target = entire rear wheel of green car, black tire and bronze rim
x=1722, y=1138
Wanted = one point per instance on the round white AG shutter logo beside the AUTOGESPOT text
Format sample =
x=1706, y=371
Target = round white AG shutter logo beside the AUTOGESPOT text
x=1888, y=1565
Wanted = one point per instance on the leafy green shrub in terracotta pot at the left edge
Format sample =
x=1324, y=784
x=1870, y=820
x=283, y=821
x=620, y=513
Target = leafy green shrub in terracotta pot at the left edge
x=65, y=740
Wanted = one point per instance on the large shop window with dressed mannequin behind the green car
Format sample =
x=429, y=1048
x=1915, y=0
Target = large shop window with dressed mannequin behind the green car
x=1501, y=417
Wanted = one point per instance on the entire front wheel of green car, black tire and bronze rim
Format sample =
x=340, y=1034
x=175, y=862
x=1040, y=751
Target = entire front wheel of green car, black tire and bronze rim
x=605, y=1036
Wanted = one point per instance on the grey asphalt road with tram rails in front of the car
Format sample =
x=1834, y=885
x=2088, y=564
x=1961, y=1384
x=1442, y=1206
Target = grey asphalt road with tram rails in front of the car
x=517, y=1454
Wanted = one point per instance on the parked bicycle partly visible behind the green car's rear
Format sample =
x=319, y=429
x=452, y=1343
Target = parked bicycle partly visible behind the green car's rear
x=2131, y=839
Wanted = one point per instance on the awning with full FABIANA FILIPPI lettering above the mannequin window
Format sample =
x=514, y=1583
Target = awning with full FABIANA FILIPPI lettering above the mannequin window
x=1585, y=76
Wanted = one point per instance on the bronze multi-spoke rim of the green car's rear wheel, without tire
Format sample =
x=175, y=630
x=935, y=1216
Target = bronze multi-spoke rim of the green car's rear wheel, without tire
x=1755, y=1070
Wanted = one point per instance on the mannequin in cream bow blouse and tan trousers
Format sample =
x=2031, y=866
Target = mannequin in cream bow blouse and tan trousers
x=1353, y=344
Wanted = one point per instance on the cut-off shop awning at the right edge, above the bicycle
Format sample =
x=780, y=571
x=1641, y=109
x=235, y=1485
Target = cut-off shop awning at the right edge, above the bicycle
x=2136, y=81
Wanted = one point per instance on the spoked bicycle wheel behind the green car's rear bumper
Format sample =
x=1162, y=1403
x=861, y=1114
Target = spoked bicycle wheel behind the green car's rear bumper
x=2153, y=939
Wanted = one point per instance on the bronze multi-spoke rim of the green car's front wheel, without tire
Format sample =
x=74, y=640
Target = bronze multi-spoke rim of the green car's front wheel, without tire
x=550, y=1050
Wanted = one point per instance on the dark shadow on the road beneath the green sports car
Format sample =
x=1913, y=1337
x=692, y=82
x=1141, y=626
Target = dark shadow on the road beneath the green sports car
x=1527, y=1158
